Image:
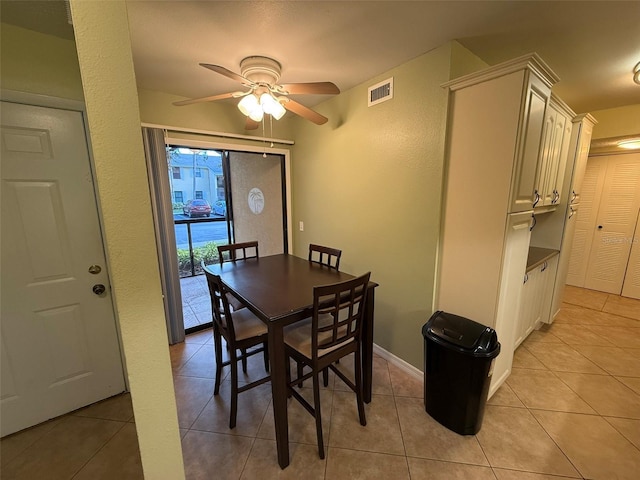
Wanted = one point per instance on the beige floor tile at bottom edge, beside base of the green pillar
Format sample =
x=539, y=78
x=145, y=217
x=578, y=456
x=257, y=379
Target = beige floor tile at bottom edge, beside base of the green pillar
x=214, y=455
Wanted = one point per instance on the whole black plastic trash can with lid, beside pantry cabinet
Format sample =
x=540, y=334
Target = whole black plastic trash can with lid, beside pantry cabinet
x=459, y=355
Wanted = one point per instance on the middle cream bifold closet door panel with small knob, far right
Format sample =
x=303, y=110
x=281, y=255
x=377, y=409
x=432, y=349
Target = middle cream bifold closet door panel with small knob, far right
x=615, y=224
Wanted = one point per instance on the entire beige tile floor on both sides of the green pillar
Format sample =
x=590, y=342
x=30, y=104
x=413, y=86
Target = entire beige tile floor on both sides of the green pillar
x=570, y=409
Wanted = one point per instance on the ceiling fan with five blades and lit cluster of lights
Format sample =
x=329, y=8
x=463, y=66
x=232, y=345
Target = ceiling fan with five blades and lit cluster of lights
x=260, y=76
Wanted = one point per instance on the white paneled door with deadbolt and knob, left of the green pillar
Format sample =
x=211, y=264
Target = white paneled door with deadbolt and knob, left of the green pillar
x=59, y=343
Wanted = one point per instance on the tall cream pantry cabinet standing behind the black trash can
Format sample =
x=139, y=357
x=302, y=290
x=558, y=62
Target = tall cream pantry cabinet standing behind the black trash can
x=495, y=122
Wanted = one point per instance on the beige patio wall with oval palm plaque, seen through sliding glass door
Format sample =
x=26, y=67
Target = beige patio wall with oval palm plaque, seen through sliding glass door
x=257, y=200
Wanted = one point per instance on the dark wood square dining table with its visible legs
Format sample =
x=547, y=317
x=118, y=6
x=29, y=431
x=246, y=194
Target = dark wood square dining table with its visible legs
x=278, y=289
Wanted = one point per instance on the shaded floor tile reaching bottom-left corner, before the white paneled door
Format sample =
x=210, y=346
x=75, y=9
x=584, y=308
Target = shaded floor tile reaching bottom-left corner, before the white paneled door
x=63, y=450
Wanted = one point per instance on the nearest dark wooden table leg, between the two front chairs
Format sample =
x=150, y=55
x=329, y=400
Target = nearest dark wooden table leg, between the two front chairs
x=277, y=360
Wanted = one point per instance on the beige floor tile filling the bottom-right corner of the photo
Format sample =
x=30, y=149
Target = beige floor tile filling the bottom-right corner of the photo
x=596, y=449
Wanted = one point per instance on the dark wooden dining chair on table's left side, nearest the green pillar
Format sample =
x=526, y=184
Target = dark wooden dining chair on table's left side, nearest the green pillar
x=241, y=330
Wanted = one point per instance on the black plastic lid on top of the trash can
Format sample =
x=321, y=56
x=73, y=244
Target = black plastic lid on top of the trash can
x=467, y=335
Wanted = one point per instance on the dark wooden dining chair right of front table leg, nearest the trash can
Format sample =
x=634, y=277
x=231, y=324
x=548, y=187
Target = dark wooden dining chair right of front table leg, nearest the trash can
x=333, y=332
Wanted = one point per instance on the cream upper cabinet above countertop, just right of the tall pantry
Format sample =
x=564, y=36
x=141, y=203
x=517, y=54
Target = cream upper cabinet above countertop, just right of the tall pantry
x=553, y=155
